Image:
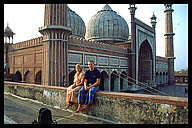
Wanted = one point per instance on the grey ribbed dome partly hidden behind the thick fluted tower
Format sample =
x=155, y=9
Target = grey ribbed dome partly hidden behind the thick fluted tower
x=75, y=22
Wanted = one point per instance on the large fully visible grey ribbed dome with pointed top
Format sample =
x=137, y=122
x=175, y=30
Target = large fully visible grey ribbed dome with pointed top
x=107, y=25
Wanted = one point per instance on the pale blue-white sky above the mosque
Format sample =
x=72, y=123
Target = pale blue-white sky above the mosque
x=25, y=20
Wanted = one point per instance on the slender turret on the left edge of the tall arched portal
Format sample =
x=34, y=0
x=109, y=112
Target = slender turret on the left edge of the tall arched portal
x=132, y=55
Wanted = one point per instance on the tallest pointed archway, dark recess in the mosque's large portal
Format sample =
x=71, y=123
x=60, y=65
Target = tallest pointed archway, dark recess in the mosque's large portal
x=145, y=66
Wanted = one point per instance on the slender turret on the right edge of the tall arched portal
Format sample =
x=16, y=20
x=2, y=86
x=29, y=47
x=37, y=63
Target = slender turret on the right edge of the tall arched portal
x=153, y=23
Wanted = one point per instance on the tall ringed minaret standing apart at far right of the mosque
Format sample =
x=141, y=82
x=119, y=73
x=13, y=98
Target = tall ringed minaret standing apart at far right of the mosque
x=169, y=48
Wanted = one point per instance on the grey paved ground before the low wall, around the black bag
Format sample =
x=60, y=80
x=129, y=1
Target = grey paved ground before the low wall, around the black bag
x=19, y=110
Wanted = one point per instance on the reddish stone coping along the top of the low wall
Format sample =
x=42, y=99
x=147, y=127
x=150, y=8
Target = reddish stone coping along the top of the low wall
x=154, y=98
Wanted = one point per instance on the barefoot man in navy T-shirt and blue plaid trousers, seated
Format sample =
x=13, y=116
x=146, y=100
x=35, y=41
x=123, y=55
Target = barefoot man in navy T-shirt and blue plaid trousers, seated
x=91, y=85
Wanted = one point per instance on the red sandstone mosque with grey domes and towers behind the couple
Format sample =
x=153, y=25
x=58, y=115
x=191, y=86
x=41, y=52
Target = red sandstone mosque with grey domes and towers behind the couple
x=125, y=55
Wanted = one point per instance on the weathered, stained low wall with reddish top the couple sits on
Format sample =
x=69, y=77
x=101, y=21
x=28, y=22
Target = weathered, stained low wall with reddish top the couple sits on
x=115, y=106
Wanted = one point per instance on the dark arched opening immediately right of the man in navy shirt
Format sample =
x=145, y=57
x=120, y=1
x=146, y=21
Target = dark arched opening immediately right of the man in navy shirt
x=104, y=81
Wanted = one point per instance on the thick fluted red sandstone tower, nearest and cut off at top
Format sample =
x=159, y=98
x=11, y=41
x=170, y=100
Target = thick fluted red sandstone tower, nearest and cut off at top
x=55, y=36
